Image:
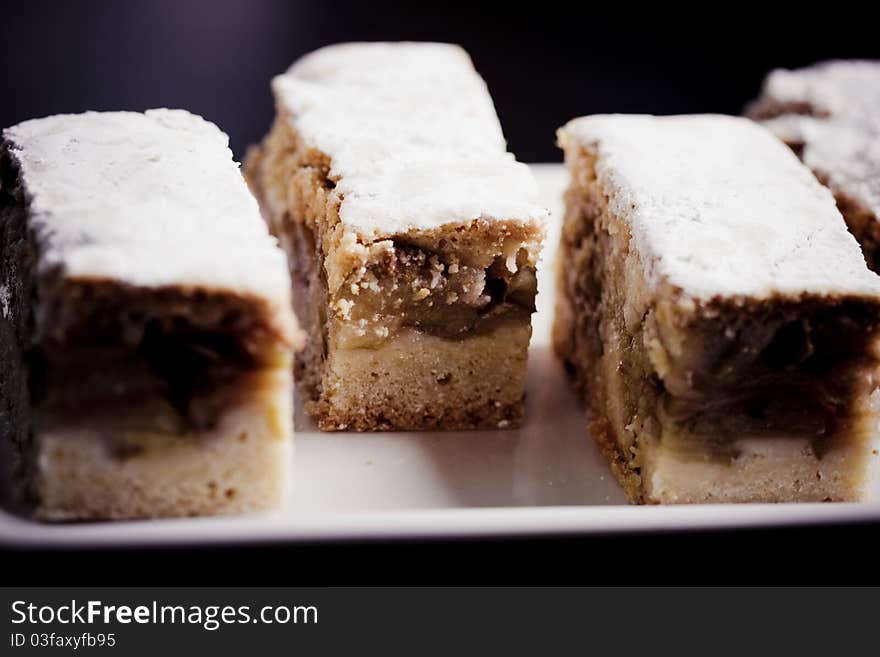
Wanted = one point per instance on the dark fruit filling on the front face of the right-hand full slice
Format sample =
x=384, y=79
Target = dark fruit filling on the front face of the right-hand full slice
x=784, y=371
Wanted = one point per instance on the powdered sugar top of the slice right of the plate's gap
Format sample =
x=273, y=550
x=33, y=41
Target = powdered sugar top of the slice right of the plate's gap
x=717, y=206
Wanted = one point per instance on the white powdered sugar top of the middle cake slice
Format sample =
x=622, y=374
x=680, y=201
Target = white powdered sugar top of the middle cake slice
x=412, y=134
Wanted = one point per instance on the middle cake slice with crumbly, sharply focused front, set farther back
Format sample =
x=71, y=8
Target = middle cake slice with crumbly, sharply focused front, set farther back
x=412, y=234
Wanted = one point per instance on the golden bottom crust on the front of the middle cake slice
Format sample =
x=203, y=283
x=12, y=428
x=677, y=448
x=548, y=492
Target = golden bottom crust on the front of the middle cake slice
x=417, y=381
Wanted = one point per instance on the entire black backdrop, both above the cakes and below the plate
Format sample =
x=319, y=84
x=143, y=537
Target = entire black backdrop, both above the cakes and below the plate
x=544, y=64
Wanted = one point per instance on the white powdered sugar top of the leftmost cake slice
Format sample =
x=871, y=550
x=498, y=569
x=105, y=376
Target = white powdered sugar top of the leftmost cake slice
x=152, y=199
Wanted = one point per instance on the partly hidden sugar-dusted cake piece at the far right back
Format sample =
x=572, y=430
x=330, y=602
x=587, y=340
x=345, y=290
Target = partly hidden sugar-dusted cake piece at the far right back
x=830, y=115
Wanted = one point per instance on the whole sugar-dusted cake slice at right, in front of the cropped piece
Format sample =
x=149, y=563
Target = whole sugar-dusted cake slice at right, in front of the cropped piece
x=716, y=313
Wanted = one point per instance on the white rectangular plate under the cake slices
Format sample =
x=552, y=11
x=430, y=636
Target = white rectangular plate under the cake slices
x=547, y=477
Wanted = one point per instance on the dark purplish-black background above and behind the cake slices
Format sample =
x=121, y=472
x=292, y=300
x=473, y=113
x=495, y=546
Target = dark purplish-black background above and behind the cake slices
x=544, y=63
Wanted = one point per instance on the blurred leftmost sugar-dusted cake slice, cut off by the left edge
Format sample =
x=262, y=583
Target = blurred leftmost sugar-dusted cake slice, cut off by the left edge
x=146, y=333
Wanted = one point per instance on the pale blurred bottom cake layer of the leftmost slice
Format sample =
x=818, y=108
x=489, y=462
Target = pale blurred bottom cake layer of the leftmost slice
x=86, y=470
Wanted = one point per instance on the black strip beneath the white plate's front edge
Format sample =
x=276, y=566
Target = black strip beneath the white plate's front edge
x=841, y=554
